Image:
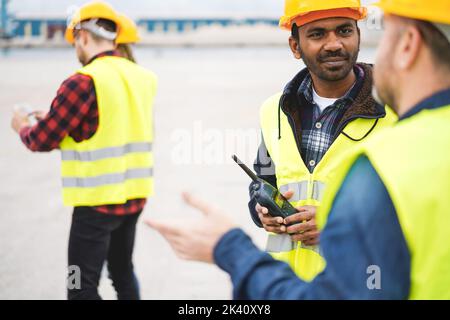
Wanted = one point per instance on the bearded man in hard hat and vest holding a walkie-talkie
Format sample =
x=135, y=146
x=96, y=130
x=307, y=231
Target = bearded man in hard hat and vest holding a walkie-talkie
x=323, y=112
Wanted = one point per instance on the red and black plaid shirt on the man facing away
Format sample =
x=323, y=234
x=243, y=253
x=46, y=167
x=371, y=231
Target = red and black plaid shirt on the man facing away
x=74, y=112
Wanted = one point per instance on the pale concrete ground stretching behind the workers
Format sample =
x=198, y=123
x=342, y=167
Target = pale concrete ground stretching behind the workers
x=206, y=109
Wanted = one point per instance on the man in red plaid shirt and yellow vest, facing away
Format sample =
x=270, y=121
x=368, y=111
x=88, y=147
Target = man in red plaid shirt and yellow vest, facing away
x=101, y=120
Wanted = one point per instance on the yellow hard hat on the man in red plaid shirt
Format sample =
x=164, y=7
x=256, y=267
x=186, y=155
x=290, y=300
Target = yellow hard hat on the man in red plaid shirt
x=91, y=10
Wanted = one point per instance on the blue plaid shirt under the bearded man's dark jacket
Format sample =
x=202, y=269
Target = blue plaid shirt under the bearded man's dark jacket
x=319, y=128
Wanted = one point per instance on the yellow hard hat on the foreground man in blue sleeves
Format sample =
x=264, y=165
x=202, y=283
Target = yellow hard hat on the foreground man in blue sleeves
x=437, y=11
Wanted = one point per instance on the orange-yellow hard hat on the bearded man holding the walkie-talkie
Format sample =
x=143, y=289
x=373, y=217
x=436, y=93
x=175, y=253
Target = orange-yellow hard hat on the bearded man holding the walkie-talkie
x=302, y=12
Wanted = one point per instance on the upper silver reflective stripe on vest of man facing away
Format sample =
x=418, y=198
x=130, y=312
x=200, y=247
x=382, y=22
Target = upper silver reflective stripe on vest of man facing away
x=105, y=153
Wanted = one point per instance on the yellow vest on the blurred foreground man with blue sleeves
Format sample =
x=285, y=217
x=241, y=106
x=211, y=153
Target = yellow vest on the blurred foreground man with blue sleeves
x=413, y=161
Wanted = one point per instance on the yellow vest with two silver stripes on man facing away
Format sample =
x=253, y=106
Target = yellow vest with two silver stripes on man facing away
x=116, y=163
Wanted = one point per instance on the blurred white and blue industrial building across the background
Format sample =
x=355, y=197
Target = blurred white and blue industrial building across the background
x=45, y=28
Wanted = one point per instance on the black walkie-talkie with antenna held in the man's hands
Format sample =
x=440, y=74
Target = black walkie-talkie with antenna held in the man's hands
x=267, y=195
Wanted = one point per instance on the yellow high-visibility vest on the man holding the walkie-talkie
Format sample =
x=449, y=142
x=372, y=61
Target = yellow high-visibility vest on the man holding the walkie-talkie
x=292, y=174
